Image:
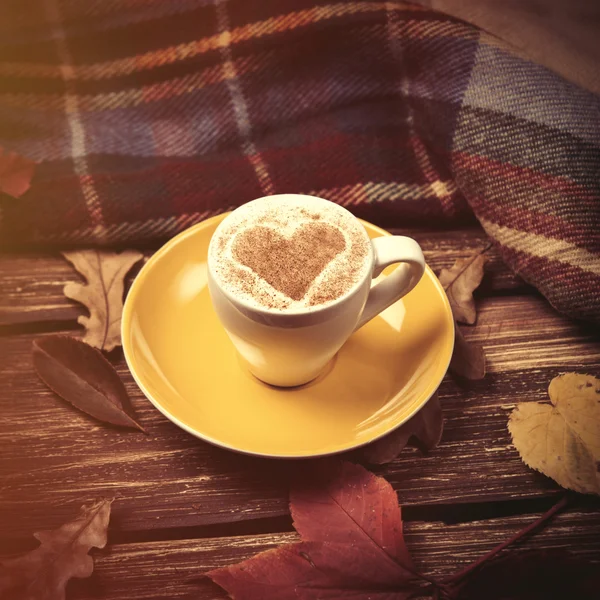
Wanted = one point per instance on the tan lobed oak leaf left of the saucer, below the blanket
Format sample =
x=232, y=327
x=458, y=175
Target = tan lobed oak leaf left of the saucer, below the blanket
x=103, y=294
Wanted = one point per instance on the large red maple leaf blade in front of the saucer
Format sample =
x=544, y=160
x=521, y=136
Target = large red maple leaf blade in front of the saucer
x=352, y=546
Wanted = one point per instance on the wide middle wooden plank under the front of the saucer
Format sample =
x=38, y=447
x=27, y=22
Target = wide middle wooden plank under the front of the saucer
x=53, y=458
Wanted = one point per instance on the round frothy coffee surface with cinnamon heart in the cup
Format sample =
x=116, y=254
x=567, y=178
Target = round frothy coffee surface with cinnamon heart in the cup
x=289, y=254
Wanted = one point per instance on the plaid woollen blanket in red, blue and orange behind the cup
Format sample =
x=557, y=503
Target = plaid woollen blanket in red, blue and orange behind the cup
x=146, y=117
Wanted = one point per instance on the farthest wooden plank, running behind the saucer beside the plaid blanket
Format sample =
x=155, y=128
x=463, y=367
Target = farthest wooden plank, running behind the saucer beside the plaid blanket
x=31, y=284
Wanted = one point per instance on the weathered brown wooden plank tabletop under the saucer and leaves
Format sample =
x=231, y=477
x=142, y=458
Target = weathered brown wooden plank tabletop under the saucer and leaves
x=184, y=507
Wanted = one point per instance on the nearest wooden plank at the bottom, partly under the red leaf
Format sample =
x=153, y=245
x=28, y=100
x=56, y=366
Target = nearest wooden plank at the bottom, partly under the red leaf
x=174, y=569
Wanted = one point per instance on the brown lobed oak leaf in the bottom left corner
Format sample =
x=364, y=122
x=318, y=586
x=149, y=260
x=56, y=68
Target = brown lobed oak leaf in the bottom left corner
x=43, y=573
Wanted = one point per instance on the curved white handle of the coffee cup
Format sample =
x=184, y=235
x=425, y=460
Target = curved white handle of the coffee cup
x=389, y=250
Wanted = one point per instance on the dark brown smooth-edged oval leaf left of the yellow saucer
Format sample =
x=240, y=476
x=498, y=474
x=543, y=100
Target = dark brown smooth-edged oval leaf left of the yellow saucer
x=82, y=376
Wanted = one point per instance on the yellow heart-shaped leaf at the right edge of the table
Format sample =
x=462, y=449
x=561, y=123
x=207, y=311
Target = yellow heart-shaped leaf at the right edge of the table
x=562, y=439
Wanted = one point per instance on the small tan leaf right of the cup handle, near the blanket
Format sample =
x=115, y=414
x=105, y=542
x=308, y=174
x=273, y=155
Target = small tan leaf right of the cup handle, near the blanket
x=460, y=281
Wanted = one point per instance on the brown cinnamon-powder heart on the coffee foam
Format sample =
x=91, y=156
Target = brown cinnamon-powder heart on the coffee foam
x=289, y=264
